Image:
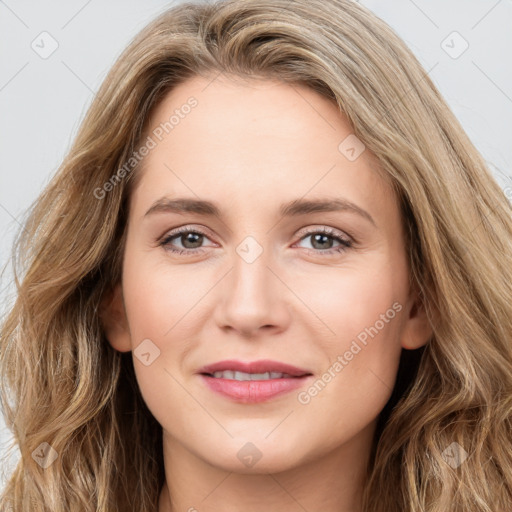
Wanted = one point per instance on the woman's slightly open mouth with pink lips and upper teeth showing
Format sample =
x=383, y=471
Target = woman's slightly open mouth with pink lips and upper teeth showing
x=253, y=382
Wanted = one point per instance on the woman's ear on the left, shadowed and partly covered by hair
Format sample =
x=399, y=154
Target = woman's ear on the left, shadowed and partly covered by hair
x=114, y=321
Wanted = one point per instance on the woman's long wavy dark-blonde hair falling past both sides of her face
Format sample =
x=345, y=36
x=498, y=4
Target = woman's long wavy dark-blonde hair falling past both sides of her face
x=64, y=385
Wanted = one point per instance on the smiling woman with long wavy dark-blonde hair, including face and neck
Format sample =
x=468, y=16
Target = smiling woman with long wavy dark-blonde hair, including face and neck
x=249, y=371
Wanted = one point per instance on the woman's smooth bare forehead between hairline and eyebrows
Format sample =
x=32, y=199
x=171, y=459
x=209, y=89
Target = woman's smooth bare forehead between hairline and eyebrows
x=248, y=139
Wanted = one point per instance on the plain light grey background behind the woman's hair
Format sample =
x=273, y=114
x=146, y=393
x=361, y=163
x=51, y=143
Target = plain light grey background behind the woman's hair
x=43, y=100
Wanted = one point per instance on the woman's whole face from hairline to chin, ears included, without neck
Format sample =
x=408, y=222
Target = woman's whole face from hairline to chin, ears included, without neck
x=260, y=170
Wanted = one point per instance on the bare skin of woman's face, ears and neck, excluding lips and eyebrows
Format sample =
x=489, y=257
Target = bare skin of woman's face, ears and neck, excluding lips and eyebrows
x=251, y=146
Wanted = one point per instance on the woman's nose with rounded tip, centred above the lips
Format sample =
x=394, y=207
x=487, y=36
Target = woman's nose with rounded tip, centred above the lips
x=253, y=299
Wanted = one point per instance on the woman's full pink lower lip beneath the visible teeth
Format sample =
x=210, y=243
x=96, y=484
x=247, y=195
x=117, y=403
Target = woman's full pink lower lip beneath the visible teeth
x=253, y=391
